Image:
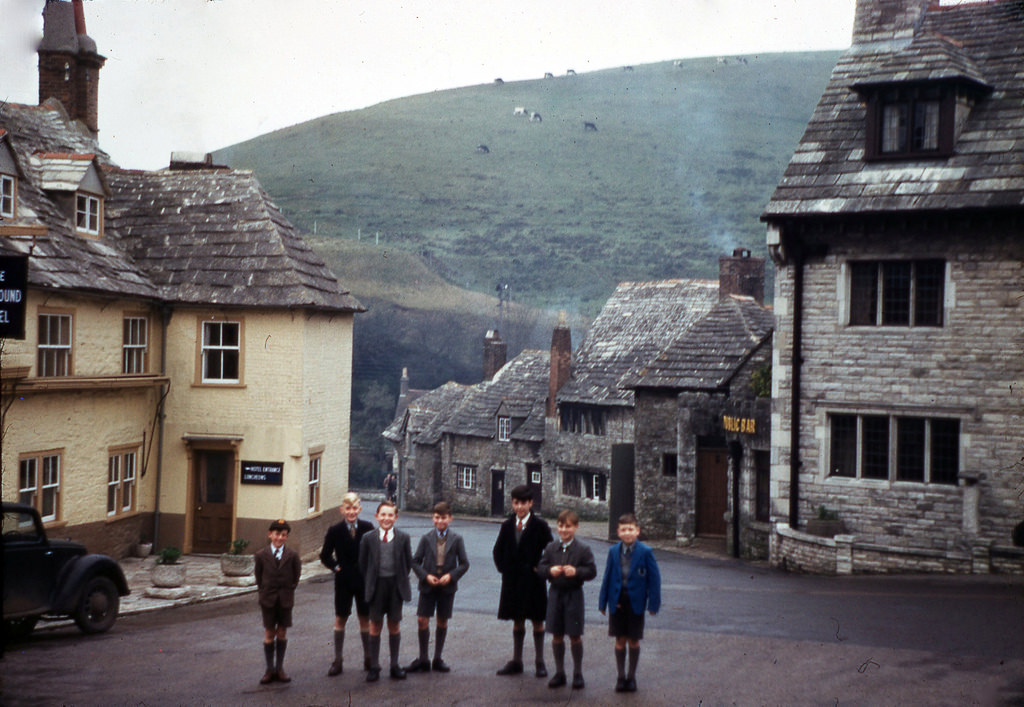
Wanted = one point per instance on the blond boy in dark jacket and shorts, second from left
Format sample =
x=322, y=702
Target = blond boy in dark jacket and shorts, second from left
x=342, y=555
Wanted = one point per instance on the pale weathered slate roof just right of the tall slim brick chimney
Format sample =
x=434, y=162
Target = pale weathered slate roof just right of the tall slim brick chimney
x=638, y=321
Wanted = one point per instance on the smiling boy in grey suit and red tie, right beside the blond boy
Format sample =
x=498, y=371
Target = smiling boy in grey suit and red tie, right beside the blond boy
x=386, y=560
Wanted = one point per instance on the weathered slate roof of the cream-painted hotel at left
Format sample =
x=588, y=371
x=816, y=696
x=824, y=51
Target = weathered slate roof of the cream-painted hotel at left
x=187, y=237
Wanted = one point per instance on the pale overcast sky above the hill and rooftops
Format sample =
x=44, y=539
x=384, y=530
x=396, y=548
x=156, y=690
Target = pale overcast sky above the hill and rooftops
x=200, y=75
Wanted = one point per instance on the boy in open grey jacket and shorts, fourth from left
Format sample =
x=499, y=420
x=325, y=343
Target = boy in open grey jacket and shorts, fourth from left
x=440, y=562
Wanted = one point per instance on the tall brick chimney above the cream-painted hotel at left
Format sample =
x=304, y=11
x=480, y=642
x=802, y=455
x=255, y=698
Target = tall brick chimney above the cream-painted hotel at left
x=69, y=65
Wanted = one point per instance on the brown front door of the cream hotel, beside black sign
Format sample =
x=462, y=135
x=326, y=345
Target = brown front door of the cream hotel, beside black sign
x=215, y=510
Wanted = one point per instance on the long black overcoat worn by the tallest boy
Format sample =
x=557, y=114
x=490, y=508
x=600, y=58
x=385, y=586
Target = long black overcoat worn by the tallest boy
x=524, y=595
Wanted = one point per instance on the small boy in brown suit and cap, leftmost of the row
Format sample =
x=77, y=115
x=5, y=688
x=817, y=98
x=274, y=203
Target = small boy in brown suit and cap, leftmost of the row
x=278, y=572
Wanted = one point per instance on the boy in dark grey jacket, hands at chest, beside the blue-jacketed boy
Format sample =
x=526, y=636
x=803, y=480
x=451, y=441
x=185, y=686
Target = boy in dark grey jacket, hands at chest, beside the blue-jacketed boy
x=568, y=563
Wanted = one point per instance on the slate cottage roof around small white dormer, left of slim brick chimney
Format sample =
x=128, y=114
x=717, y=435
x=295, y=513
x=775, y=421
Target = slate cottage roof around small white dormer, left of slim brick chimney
x=526, y=378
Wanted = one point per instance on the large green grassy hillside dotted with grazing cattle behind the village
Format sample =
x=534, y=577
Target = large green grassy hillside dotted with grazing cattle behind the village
x=677, y=173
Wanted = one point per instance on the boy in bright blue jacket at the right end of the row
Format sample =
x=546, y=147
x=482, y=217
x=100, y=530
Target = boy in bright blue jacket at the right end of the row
x=631, y=585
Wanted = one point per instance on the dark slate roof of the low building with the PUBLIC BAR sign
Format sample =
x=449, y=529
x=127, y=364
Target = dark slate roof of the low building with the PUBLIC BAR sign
x=710, y=353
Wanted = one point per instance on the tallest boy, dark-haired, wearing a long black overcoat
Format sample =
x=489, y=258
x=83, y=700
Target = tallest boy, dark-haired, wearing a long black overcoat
x=522, y=539
